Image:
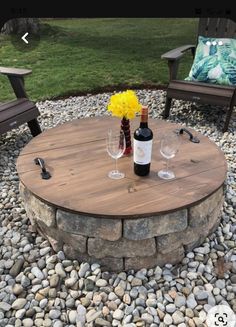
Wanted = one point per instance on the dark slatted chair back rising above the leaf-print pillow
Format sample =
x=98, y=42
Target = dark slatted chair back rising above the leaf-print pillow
x=217, y=27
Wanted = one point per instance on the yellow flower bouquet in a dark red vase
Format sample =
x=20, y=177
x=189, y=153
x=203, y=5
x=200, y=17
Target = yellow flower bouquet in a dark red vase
x=125, y=105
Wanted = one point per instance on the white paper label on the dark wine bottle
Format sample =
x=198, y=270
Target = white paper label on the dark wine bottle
x=142, y=152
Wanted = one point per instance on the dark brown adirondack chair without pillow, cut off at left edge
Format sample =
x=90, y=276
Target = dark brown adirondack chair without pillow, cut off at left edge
x=16, y=112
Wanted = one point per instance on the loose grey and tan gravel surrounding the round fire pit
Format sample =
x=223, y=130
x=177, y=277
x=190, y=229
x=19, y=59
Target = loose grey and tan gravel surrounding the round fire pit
x=41, y=288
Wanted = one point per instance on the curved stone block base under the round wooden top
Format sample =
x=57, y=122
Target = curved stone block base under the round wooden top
x=123, y=244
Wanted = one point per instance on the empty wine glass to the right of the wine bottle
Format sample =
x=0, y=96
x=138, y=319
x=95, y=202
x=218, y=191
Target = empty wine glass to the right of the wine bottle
x=170, y=143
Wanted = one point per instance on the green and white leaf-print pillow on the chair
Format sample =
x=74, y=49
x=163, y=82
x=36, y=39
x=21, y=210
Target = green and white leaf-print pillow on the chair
x=215, y=61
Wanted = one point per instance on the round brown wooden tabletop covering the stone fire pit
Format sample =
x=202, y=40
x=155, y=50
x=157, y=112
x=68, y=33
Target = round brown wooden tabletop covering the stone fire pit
x=75, y=155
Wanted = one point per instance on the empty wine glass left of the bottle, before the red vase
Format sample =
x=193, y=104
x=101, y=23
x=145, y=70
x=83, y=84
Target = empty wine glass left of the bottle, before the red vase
x=115, y=149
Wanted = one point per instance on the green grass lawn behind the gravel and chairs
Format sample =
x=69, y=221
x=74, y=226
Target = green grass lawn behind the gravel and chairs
x=76, y=56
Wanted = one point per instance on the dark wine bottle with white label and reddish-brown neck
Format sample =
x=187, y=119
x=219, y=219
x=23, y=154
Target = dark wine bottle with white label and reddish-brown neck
x=143, y=145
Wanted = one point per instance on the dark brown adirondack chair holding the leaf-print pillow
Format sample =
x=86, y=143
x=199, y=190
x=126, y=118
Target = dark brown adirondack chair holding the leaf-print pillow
x=197, y=91
